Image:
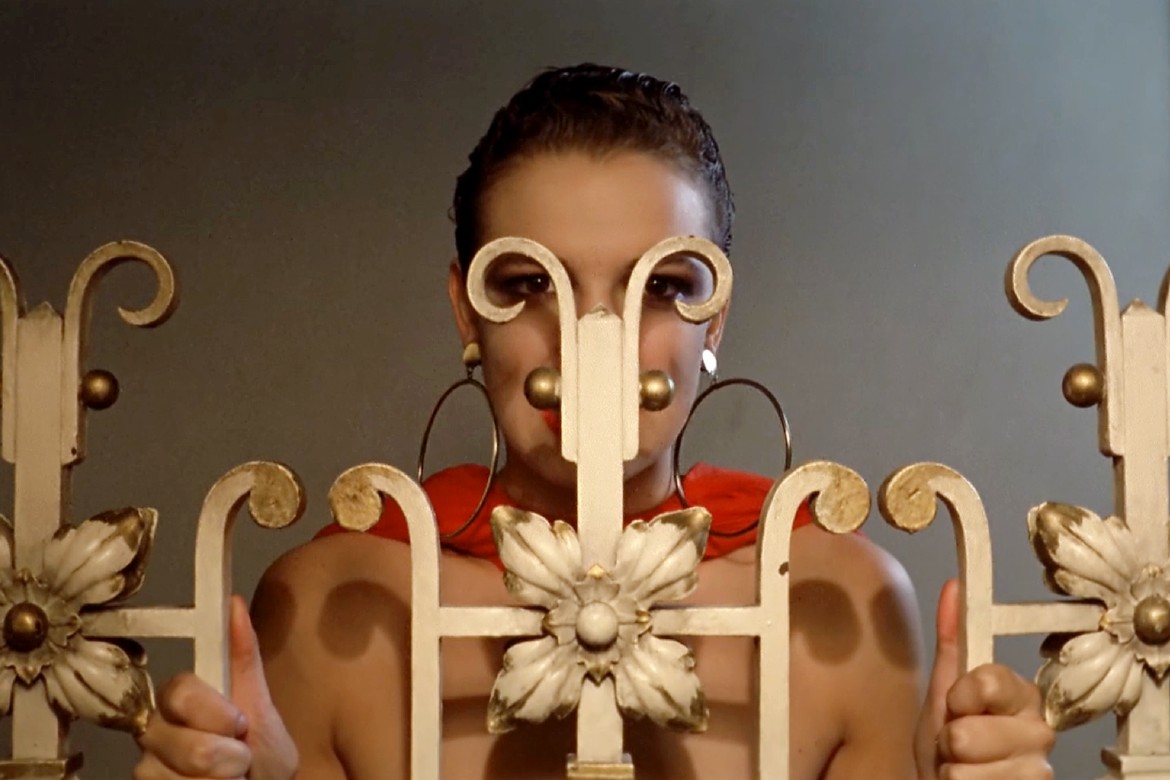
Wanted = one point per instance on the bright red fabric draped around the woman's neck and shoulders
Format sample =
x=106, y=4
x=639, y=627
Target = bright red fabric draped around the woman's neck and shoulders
x=734, y=499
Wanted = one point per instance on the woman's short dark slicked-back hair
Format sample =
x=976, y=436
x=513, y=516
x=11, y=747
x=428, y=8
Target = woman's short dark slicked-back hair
x=595, y=109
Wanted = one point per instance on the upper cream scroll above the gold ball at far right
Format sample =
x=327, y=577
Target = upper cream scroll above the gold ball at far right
x=1106, y=315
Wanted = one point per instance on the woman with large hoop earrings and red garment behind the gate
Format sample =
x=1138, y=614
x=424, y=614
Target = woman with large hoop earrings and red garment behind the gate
x=598, y=165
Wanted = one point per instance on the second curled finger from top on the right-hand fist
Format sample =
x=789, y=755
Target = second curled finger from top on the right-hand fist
x=986, y=740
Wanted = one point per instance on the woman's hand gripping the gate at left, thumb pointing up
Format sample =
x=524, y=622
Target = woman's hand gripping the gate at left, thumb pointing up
x=196, y=733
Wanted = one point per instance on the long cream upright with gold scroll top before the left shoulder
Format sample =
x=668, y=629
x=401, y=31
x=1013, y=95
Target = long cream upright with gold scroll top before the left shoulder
x=356, y=501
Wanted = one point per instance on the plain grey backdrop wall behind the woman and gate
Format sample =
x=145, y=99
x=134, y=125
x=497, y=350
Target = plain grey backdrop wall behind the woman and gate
x=295, y=163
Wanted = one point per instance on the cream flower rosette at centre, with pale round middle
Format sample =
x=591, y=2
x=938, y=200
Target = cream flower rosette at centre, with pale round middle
x=597, y=623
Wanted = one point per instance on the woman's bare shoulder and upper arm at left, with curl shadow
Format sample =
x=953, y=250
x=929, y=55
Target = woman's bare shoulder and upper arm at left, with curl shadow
x=333, y=616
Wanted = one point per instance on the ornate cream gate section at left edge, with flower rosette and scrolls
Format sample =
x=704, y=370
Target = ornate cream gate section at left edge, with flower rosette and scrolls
x=61, y=585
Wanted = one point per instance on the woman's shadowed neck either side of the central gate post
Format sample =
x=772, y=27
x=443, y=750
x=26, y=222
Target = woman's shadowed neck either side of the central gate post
x=643, y=491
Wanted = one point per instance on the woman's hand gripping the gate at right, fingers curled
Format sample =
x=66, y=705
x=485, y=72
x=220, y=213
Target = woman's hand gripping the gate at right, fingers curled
x=981, y=726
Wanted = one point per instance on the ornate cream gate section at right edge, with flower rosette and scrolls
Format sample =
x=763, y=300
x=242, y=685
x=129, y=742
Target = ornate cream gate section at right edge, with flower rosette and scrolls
x=1113, y=643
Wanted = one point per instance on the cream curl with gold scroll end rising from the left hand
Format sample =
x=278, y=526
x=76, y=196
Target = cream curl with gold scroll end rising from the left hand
x=276, y=500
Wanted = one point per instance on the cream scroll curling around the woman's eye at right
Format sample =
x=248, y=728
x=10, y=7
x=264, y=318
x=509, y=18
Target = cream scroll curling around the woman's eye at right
x=712, y=257
